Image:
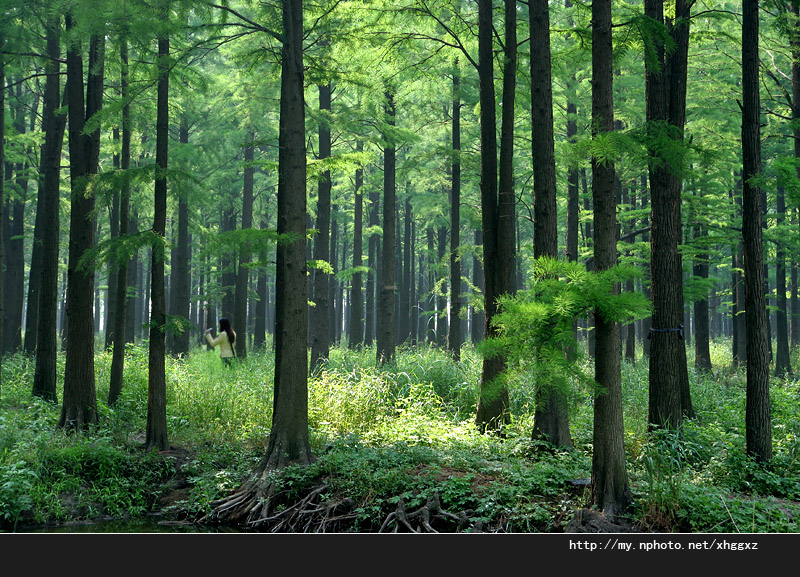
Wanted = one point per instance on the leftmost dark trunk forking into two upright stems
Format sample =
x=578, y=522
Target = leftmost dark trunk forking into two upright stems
x=79, y=407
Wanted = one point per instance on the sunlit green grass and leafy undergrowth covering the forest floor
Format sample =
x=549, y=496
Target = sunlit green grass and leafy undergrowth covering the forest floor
x=395, y=447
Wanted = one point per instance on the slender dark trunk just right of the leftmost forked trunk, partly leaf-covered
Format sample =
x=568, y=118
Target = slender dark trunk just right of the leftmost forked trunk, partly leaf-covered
x=127, y=269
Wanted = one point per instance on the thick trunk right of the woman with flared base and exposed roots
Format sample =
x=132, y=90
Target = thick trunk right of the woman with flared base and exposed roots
x=289, y=436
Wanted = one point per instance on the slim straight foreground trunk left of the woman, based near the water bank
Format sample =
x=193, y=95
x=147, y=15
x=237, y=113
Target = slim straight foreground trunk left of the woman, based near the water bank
x=156, y=431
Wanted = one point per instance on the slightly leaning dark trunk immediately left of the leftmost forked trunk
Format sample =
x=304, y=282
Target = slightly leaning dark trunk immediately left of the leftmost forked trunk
x=45, y=373
